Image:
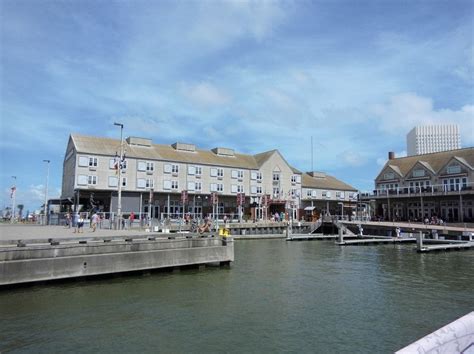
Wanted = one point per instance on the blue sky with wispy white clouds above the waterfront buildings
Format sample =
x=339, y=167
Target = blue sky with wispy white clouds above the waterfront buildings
x=354, y=77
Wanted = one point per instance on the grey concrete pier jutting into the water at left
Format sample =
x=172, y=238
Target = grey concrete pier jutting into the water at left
x=47, y=259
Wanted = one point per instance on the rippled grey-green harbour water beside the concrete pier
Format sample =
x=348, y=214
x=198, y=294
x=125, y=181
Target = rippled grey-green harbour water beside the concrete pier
x=277, y=296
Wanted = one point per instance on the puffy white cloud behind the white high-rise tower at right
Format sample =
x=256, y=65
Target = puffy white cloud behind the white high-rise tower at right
x=406, y=110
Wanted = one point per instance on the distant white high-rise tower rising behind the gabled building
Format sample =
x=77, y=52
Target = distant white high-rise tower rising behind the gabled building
x=425, y=139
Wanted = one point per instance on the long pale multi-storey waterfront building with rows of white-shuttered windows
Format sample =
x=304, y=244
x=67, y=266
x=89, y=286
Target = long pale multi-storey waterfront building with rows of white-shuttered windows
x=172, y=180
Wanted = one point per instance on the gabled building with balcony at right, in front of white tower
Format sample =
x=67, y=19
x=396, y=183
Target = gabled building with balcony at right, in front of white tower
x=437, y=185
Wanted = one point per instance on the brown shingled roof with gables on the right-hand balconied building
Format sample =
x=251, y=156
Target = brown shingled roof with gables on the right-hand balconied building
x=433, y=161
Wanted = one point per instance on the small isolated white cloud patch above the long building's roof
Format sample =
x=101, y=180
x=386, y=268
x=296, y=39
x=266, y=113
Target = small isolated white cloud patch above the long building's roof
x=204, y=94
